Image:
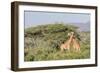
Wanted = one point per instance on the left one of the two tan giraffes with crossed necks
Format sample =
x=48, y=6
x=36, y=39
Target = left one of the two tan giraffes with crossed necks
x=67, y=44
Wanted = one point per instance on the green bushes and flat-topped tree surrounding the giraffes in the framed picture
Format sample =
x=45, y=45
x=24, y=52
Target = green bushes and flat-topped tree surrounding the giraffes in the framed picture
x=42, y=42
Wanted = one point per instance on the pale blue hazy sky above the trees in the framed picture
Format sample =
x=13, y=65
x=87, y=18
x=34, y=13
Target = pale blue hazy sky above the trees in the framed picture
x=33, y=18
